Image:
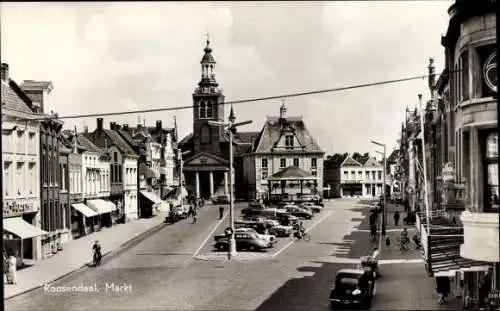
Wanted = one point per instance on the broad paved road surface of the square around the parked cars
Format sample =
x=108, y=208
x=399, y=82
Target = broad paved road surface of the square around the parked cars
x=161, y=274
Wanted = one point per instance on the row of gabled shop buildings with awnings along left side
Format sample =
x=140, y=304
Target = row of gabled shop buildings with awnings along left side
x=62, y=184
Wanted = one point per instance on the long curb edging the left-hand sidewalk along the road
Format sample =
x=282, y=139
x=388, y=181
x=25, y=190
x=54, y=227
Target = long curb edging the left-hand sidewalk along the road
x=105, y=258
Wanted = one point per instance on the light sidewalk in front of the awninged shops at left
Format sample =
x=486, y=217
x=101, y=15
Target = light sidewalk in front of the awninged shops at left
x=78, y=253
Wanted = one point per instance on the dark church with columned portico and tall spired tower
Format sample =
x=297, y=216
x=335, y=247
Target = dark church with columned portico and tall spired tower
x=205, y=152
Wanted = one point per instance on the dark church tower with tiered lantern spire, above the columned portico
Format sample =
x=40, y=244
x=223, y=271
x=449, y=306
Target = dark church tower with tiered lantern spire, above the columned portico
x=208, y=105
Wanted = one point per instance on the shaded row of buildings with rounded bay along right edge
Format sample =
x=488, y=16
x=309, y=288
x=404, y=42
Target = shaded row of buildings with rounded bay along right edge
x=460, y=224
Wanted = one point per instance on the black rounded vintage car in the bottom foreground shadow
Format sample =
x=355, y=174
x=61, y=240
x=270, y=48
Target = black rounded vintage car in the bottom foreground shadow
x=352, y=288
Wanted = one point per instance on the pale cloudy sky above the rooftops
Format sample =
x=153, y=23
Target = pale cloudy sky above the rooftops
x=123, y=56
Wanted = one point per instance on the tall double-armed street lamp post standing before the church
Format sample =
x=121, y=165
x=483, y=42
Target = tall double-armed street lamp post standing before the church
x=231, y=126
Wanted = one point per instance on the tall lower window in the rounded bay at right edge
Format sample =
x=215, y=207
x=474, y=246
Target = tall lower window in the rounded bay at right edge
x=490, y=170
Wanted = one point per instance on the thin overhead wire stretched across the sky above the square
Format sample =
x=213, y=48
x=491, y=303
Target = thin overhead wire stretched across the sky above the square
x=233, y=102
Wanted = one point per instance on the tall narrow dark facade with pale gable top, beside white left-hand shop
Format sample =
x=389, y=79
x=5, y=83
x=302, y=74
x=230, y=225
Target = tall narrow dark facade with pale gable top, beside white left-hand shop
x=52, y=213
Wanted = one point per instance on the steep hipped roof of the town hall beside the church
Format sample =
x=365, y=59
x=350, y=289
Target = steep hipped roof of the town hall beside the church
x=273, y=129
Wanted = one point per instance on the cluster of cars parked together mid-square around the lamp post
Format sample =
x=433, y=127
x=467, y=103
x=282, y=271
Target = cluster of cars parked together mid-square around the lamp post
x=260, y=224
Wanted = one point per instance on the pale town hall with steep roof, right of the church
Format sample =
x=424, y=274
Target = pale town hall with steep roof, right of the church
x=283, y=142
